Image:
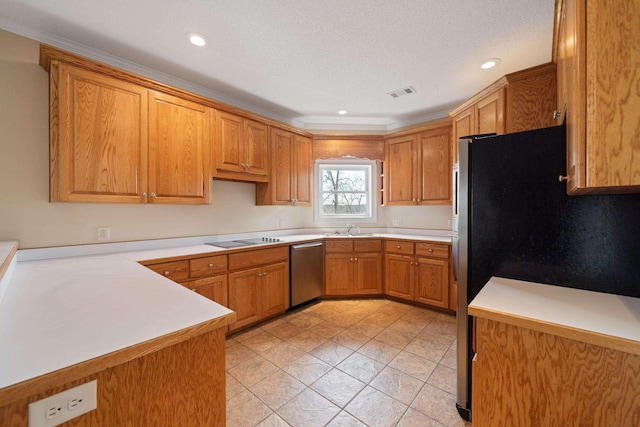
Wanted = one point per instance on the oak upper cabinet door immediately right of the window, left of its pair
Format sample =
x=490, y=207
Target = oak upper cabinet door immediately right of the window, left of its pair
x=399, y=174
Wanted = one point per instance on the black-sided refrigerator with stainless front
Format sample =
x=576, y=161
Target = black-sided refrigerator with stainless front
x=515, y=220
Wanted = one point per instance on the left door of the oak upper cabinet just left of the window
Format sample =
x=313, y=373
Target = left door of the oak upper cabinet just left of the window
x=281, y=167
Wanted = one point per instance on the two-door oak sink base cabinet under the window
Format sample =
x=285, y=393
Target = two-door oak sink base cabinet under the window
x=353, y=267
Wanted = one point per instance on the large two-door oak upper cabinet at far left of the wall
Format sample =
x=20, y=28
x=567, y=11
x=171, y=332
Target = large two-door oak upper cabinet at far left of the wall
x=115, y=140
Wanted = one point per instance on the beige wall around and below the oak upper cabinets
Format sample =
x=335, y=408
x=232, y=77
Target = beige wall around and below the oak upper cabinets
x=27, y=216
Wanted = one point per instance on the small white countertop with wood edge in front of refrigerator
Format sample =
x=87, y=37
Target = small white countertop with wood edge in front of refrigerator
x=607, y=314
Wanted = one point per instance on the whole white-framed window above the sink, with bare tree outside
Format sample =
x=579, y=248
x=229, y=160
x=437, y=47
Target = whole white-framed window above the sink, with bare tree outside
x=345, y=191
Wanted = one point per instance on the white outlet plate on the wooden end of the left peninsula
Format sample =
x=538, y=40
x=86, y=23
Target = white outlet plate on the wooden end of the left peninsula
x=59, y=408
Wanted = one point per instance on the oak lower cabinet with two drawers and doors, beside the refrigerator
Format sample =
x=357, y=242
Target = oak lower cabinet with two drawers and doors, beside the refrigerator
x=418, y=271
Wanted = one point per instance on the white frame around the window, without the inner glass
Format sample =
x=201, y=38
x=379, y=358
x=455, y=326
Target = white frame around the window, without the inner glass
x=371, y=168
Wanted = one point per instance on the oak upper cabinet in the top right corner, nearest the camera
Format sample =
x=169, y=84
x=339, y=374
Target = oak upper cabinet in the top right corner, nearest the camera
x=598, y=59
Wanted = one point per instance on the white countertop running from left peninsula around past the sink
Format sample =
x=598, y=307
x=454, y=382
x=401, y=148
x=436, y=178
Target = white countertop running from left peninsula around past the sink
x=61, y=308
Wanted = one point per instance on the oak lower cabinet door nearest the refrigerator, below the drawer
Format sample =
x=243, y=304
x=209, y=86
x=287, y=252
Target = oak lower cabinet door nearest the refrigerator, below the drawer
x=432, y=282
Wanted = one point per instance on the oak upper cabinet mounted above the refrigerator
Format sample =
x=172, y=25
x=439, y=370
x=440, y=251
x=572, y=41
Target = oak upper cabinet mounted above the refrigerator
x=519, y=101
